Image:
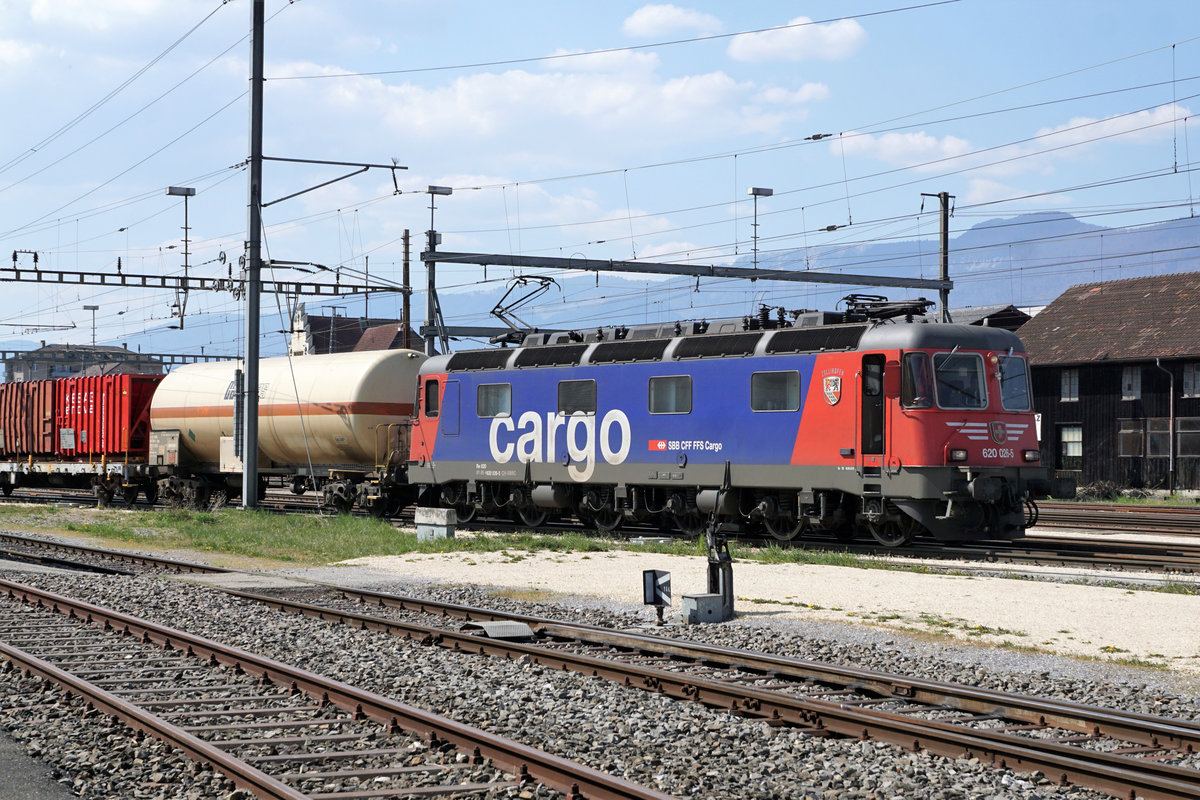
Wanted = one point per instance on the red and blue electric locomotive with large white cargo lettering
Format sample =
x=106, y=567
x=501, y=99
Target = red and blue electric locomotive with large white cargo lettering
x=736, y=423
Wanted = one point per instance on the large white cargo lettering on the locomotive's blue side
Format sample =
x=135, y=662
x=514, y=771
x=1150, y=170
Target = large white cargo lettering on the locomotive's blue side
x=539, y=444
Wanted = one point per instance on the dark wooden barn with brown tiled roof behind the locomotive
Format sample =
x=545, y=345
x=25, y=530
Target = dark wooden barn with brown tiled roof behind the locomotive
x=1117, y=382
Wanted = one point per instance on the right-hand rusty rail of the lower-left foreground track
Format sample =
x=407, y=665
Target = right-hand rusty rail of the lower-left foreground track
x=567, y=777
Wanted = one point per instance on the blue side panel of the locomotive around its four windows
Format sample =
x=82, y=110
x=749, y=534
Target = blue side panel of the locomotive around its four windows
x=718, y=426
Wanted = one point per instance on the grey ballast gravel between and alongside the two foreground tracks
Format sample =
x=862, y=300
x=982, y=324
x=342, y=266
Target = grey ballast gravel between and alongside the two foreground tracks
x=680, y=749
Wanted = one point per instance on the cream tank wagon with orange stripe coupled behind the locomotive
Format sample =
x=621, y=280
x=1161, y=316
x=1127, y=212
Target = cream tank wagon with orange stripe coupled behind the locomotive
x=335, y=423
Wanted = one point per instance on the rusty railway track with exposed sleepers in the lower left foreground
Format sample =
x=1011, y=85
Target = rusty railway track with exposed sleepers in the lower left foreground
x=272, y=729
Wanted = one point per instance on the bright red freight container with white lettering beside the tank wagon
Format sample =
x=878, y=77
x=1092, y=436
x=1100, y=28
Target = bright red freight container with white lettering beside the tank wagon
x=105, y=417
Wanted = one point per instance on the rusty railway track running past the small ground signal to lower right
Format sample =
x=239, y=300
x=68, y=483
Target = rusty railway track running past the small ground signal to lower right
x=1124, y=754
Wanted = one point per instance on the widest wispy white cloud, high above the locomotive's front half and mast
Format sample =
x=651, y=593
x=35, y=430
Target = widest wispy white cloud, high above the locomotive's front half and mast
x=629, y=100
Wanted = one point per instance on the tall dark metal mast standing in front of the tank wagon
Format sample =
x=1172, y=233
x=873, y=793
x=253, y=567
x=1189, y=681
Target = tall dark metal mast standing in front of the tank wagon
x=254, y=262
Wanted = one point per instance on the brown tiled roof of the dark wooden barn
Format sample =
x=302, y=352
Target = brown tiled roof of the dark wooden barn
x=1119, y=321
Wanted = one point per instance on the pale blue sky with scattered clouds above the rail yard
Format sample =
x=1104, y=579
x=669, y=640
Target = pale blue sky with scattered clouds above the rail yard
x=622, y=147
